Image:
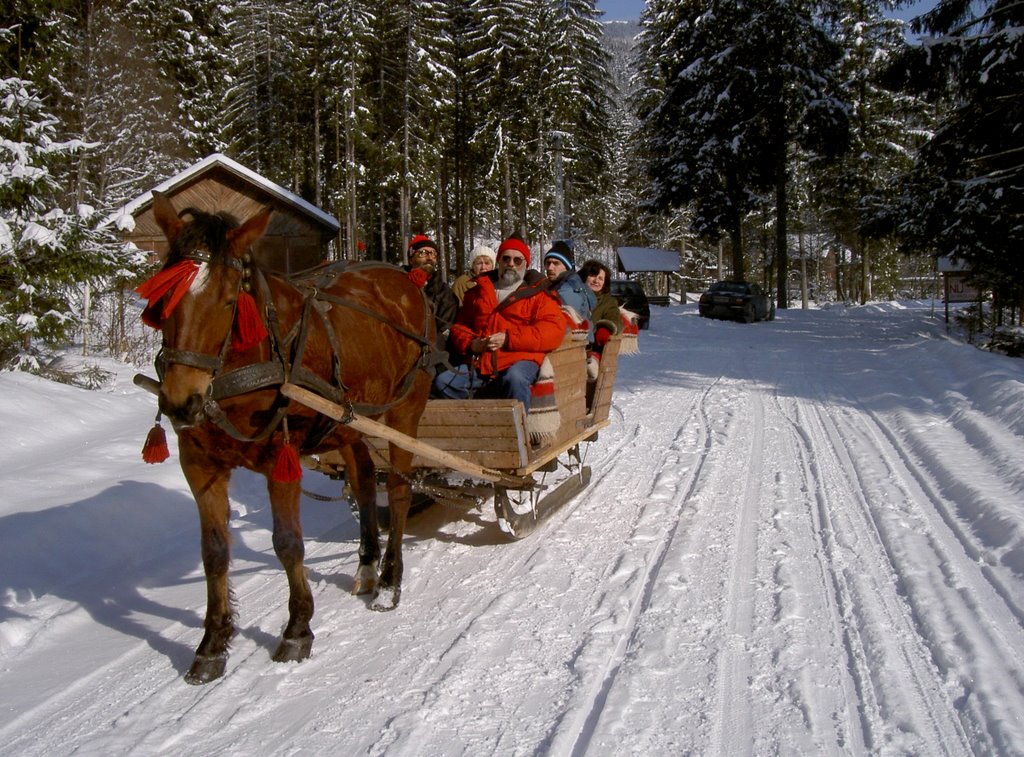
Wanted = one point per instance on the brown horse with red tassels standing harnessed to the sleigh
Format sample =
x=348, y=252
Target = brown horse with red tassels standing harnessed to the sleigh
x=232, y=335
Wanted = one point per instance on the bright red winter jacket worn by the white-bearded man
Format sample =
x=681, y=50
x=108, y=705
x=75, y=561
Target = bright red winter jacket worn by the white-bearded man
x=531, y=318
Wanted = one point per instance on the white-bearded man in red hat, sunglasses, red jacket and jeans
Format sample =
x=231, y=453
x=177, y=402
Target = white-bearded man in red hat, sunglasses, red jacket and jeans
x=506, y=326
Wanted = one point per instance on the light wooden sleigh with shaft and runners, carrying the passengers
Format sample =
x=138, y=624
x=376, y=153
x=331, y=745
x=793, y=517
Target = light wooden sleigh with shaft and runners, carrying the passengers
x=468, y=451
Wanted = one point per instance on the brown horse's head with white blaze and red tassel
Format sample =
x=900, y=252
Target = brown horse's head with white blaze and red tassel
x=196, y=300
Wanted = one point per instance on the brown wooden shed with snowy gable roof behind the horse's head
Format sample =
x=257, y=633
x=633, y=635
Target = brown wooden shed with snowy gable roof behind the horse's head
x=296, y=239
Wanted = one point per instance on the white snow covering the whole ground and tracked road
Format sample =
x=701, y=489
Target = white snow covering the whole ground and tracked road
x=801, y=537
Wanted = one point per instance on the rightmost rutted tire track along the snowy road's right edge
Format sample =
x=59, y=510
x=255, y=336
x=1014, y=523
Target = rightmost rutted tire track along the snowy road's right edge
x=954, y=595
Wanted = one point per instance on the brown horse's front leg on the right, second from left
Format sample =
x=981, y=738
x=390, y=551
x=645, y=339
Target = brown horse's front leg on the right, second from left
x=297, y=641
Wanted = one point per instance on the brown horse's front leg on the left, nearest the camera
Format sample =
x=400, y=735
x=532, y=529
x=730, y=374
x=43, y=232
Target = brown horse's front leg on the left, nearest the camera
x=209, y=486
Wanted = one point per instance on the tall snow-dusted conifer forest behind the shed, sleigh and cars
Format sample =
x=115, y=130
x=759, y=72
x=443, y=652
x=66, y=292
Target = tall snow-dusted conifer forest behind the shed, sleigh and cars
x=749, y=133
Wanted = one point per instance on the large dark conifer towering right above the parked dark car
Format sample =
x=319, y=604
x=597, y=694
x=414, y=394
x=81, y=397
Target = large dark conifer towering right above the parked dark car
x=743, y=83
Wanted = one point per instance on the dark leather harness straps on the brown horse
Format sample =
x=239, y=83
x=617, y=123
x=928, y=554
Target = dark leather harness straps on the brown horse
x=288, y=352
